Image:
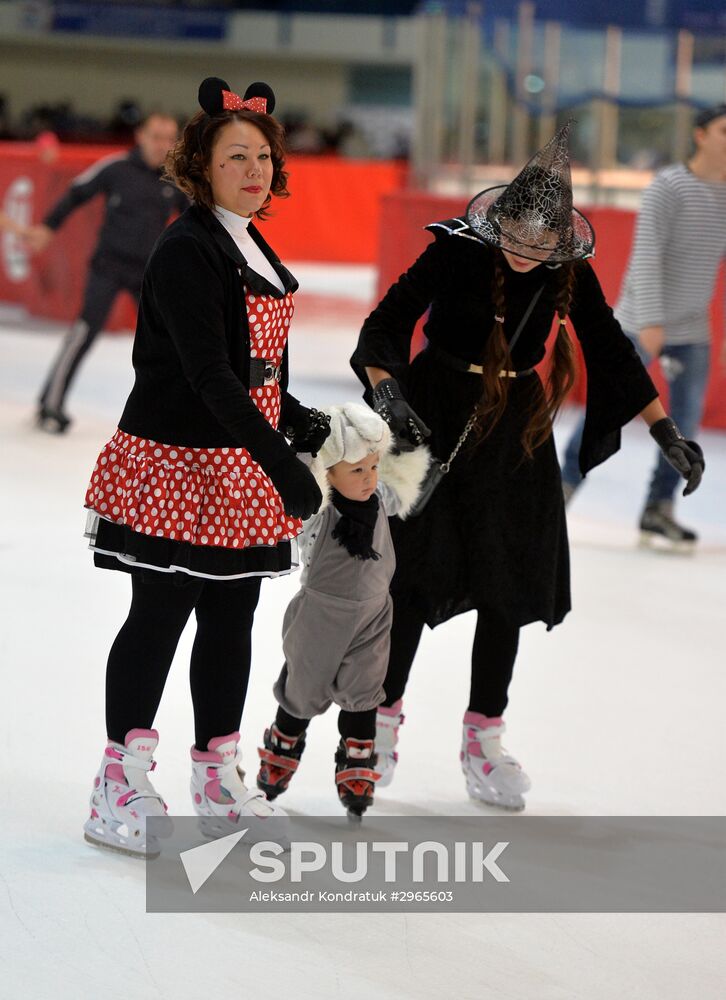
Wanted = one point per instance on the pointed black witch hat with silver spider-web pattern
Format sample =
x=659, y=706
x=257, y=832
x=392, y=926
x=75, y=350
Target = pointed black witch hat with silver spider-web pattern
x=532, y=216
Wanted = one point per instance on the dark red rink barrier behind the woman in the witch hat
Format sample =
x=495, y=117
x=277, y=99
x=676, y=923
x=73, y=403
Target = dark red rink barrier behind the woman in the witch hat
x=403, y=238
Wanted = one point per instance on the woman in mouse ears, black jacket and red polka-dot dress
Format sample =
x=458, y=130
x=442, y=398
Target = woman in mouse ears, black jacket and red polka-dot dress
x=198, y=495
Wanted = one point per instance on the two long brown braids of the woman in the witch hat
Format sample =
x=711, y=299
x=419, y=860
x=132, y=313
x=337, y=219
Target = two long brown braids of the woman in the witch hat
x=561, y=376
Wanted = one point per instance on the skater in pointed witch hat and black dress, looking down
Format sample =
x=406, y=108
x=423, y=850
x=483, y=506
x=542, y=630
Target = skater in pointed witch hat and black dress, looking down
x=492, y=537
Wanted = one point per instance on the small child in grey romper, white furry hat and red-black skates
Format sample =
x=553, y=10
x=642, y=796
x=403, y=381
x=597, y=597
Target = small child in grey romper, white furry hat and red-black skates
x=336, y=630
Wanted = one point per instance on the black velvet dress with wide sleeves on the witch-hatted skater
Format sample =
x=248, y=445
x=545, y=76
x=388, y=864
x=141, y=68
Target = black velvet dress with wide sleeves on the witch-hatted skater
x=493, y=535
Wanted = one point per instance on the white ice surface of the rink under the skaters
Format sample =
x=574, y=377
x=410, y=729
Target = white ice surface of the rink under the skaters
x=619, y=711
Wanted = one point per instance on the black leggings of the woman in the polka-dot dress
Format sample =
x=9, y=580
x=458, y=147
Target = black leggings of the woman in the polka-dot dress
x=141, y=655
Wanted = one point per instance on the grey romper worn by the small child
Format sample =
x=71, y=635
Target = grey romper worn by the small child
x=336, y=630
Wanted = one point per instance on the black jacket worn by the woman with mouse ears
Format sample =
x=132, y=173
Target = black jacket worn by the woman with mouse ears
x=191, y=351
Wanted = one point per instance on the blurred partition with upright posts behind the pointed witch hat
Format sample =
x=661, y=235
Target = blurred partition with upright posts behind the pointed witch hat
x=489, y=93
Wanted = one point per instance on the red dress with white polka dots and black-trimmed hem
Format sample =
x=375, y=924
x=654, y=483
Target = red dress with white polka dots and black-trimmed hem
x=200, y=504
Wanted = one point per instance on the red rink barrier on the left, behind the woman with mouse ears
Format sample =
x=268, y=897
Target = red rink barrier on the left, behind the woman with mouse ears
x=332, y=215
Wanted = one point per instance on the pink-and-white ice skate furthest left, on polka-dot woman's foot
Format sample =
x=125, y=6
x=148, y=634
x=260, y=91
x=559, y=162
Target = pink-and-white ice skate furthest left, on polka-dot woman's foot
x=123, y=798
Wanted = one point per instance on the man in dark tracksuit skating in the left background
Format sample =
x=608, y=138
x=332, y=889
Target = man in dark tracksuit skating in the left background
x=138, y=207
